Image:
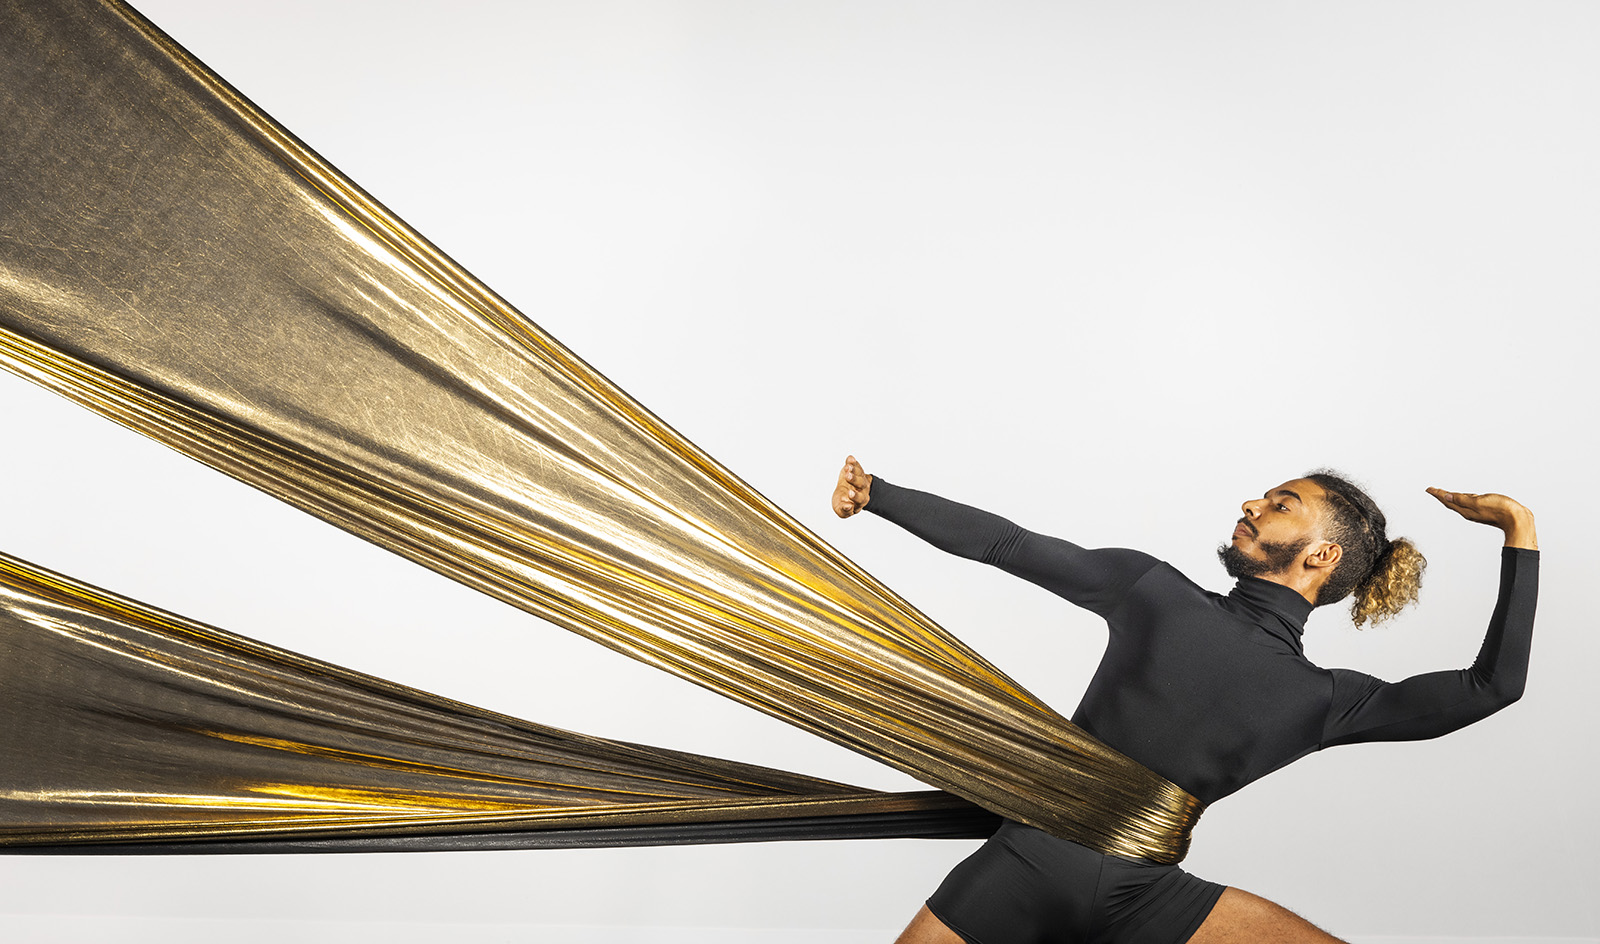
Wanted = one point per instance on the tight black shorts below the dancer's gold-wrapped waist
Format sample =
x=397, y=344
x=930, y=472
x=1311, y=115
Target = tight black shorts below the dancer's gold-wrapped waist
x=1028, y=887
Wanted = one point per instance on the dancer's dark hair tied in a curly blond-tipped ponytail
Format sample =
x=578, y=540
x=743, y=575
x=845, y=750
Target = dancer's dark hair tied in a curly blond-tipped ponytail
x=1385, y=575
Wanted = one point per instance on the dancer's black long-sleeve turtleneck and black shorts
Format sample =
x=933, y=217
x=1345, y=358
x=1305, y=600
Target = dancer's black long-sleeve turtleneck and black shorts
x=1210, y=692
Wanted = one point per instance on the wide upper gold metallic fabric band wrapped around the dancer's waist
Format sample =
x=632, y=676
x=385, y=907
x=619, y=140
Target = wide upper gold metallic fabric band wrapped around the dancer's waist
x=182, y=265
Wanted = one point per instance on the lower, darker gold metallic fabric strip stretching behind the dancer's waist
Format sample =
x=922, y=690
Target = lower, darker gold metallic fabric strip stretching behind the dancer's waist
x=126, y=724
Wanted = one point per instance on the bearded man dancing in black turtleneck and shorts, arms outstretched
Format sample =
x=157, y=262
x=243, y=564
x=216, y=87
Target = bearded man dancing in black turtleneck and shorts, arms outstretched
x=1210, y=692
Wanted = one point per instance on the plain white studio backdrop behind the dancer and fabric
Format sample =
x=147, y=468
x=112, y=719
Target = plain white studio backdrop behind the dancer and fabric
x=1108, y=270
